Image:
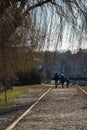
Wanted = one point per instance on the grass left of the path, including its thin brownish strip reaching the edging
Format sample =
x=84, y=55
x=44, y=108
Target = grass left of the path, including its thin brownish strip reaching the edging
x=17, y=91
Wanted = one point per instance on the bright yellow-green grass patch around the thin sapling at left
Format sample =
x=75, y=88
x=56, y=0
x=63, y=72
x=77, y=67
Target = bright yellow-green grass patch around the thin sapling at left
x=11, y=95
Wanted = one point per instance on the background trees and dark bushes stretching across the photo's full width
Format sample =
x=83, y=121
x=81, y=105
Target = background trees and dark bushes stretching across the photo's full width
x=65, y=62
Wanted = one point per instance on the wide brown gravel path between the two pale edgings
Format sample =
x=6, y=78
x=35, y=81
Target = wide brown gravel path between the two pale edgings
x=62, y=109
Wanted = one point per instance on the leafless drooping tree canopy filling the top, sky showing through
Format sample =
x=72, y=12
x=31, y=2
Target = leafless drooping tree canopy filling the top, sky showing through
x=40, y=24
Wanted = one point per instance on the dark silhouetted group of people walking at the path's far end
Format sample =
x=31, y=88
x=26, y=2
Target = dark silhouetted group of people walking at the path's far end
x=62, y=79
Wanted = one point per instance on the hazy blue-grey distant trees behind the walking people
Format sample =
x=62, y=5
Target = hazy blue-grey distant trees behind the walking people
x=66, y=62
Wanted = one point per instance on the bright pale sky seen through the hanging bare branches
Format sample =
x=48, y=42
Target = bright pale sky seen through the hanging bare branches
x=54, y=32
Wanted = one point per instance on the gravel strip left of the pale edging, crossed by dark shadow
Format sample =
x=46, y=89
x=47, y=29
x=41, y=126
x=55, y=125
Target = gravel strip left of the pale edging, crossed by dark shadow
x=10, y=113
